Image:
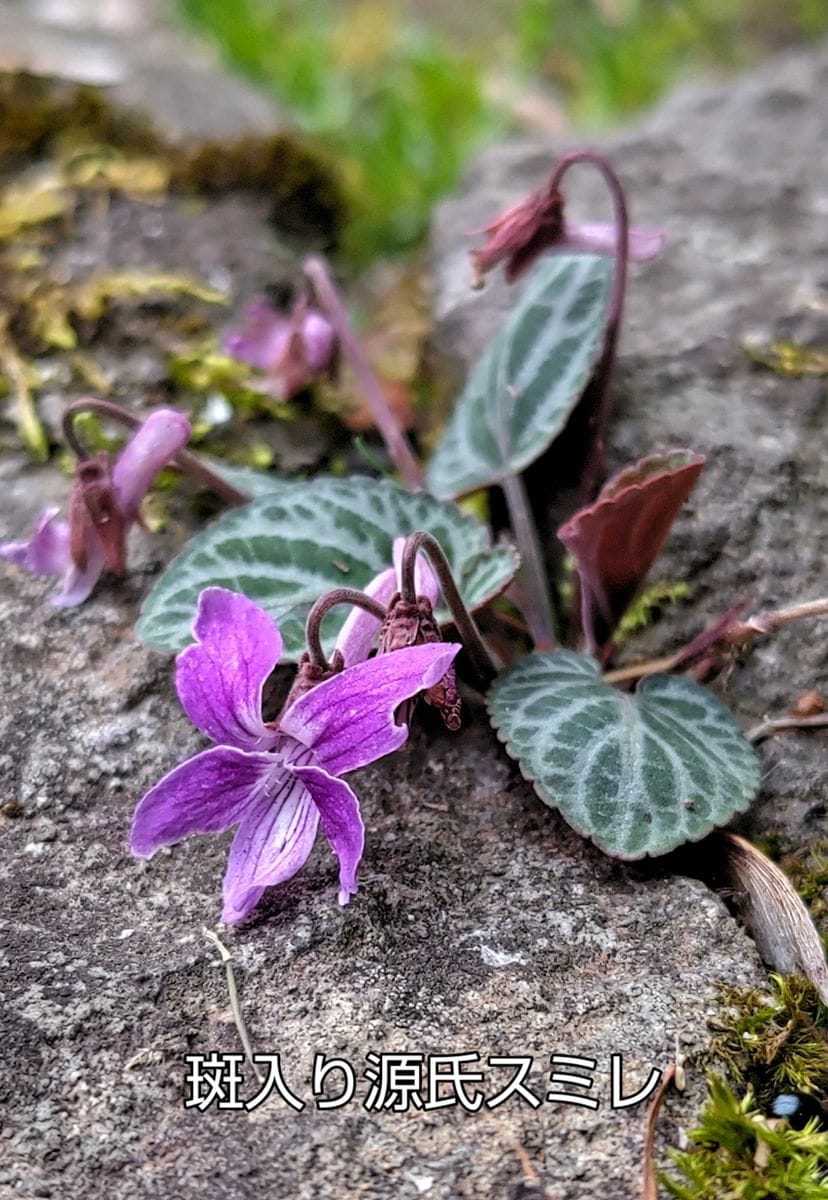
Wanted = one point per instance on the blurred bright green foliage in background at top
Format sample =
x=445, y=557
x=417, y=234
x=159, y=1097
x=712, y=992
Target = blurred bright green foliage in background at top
x=405, y=94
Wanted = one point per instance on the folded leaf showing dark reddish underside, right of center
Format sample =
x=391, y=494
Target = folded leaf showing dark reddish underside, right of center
x=619, y=537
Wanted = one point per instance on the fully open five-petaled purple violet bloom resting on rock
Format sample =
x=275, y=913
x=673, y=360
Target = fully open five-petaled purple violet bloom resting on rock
x=277, y=782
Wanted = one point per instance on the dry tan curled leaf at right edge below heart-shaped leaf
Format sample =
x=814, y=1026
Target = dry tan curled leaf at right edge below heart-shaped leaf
x=776, y=916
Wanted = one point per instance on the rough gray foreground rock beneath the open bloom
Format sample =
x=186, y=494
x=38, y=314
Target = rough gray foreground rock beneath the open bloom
x=482, y=926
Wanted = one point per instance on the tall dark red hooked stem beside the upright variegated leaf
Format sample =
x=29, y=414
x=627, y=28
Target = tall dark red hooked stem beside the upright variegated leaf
x=596, y=467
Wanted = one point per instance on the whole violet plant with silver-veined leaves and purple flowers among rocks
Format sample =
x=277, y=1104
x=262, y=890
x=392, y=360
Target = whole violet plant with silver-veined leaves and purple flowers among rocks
x=640, y=759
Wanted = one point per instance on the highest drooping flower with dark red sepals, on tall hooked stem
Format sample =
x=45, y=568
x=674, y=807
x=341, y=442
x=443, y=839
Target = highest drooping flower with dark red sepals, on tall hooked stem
x=537, y=225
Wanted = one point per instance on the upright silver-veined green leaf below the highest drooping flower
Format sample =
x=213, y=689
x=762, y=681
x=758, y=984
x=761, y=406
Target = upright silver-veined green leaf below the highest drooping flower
x=521, y=393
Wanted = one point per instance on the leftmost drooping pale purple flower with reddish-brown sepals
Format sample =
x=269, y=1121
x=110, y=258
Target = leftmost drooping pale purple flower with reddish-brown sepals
x=101, y=511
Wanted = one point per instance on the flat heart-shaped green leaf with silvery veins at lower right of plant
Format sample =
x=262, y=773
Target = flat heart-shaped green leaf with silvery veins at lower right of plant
x=639, y=775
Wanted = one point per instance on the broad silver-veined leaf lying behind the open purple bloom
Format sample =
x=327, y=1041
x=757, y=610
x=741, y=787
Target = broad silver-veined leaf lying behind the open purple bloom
x=287, y=550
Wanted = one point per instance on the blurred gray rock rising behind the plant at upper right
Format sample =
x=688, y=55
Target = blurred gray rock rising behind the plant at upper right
x=739, y=179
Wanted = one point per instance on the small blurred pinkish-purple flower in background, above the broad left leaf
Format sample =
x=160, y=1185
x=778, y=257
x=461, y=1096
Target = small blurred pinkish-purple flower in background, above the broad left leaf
x=292, y=351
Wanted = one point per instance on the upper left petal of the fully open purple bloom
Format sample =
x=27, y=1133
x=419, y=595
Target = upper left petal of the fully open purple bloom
x=220, y=680
